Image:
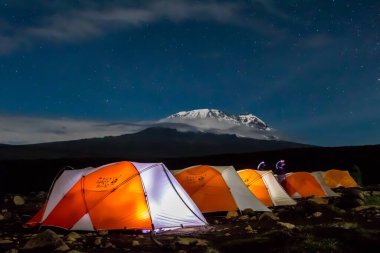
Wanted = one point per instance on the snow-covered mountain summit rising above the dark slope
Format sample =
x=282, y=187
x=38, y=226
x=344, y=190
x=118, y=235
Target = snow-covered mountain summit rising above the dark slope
x=219, y=122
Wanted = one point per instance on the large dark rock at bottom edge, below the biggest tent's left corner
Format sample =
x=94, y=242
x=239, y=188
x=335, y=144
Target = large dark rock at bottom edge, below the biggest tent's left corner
x=48, y=239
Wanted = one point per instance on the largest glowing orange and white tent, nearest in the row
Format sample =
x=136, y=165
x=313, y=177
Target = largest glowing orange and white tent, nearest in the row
x=122, y=195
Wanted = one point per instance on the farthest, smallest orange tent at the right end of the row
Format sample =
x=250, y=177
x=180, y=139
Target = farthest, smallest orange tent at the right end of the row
x=337, y=178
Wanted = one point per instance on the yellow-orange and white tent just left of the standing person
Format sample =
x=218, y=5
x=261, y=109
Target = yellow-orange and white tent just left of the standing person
x=265, y=187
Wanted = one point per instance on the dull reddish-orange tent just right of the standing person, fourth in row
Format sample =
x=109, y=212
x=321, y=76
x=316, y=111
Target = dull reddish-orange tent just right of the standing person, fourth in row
x=305, y=184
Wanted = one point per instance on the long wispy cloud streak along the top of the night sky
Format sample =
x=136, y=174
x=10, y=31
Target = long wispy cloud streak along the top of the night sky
x=65, y=23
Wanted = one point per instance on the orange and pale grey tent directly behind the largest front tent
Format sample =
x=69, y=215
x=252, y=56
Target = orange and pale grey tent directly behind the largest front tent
x=217, y=189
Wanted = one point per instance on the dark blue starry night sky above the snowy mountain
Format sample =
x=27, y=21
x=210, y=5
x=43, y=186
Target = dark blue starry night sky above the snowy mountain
x=310, y=69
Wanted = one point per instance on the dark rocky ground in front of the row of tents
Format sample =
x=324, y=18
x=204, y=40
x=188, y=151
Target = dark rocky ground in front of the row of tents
x=349, y=223
